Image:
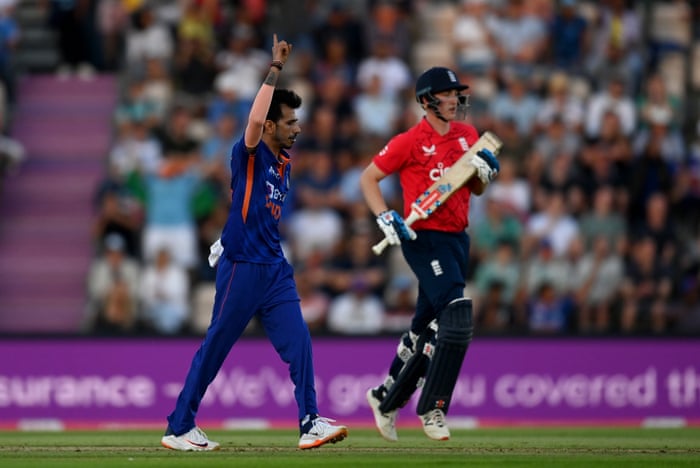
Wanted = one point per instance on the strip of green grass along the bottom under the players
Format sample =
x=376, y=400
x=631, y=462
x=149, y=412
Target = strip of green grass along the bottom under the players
x=535, y=447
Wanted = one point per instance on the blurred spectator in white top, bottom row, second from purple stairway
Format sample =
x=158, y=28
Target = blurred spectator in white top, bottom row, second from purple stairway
x=164, y=294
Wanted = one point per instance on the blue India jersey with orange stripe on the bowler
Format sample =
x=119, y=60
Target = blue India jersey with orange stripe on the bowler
x=259, y=186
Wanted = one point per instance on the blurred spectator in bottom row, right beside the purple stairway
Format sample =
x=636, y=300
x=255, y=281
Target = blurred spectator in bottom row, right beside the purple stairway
x=112, y=290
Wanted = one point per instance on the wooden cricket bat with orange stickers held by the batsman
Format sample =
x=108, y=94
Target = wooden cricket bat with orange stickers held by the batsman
x=458, y=175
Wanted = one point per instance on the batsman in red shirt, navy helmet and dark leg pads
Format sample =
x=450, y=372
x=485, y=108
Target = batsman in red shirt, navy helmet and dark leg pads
x=436, y=248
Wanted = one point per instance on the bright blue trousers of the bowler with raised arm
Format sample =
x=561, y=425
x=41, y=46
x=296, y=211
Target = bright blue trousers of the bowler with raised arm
x=242, y=291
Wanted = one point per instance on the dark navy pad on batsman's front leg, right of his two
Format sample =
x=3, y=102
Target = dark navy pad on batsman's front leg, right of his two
x=453, y=339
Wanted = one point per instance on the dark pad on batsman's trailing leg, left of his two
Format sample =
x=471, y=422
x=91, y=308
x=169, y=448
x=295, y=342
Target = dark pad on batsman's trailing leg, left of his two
x=414, y=369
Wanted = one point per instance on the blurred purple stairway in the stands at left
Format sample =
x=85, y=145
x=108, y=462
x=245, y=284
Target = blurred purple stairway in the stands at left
x=46, y=207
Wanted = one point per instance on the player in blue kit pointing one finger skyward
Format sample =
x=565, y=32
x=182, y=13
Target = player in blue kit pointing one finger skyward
x=253, y=277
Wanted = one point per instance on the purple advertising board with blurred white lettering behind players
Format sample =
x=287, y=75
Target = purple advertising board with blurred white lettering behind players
x=98, y=382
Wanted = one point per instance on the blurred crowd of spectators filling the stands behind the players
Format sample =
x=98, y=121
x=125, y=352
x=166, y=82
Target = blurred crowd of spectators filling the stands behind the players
x=592, y=227
